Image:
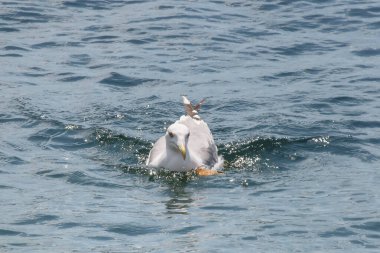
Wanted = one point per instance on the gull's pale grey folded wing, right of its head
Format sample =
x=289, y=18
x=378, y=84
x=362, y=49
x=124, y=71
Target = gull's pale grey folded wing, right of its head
x=201, y=143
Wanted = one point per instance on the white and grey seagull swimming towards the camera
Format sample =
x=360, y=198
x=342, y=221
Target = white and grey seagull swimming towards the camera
x=187, y=145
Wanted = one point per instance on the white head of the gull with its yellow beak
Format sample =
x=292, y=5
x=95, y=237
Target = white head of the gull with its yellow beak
x=177, y=137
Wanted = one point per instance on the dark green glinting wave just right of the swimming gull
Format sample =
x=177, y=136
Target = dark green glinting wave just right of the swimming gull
x=277, y=153
